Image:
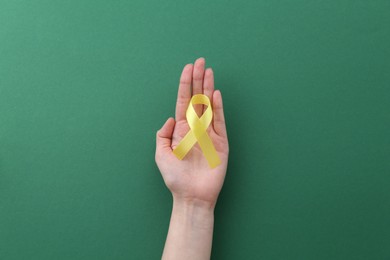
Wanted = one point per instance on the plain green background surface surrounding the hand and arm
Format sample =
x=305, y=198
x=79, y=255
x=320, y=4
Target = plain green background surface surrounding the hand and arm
x=84, y=86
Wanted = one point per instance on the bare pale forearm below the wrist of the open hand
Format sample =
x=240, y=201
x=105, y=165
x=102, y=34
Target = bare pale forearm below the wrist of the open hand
x=190, y=231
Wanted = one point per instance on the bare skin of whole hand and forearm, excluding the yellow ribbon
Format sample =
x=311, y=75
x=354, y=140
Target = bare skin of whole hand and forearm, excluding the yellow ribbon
x=194, y=186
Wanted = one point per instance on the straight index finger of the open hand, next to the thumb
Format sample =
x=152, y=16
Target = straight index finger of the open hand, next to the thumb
x=184, y=92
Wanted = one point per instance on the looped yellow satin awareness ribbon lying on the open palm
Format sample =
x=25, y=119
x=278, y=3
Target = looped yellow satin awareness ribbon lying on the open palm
x=198, y=132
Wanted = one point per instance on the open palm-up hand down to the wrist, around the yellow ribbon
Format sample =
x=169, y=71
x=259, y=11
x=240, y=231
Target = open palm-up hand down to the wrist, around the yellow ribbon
x=191, y=180
